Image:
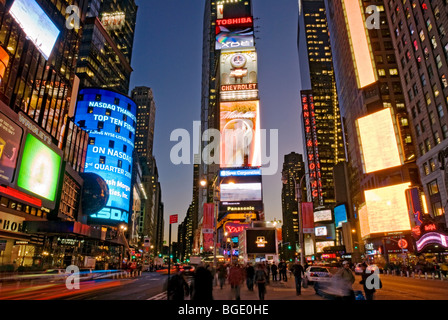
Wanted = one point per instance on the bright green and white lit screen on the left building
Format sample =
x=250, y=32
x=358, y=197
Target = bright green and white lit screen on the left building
x=39, y=169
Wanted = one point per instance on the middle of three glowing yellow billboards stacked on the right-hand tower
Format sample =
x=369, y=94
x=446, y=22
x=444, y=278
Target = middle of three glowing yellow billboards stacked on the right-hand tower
x=380, y=145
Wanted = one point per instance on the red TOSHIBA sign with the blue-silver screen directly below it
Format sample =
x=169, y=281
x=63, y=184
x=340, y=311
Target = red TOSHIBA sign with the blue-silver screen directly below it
x=234, y=33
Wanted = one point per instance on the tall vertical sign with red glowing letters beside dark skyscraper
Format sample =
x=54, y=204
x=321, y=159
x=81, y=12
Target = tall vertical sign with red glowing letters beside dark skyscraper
x=309, y=121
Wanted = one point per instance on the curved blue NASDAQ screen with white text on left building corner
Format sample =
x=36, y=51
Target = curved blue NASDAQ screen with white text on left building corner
x=110, y=119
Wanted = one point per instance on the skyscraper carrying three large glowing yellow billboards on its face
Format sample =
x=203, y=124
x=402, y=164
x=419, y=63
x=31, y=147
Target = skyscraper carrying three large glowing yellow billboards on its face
x=375, y=119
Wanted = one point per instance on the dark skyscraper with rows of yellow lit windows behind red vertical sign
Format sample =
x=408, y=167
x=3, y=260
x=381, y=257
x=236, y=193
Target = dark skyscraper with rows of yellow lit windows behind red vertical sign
x=317, y=74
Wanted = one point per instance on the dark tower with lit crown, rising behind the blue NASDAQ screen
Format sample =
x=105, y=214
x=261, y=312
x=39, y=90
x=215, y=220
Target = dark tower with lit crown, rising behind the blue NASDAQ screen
x=106, y=49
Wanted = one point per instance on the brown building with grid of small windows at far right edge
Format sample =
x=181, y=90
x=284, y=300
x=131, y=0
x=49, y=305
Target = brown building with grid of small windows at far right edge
x=419, y=37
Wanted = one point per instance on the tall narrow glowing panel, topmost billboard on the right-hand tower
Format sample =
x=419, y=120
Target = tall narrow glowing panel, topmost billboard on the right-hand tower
x=359, y=42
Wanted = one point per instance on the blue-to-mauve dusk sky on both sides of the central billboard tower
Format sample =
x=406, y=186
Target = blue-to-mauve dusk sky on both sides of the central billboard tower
x=167, y=57
